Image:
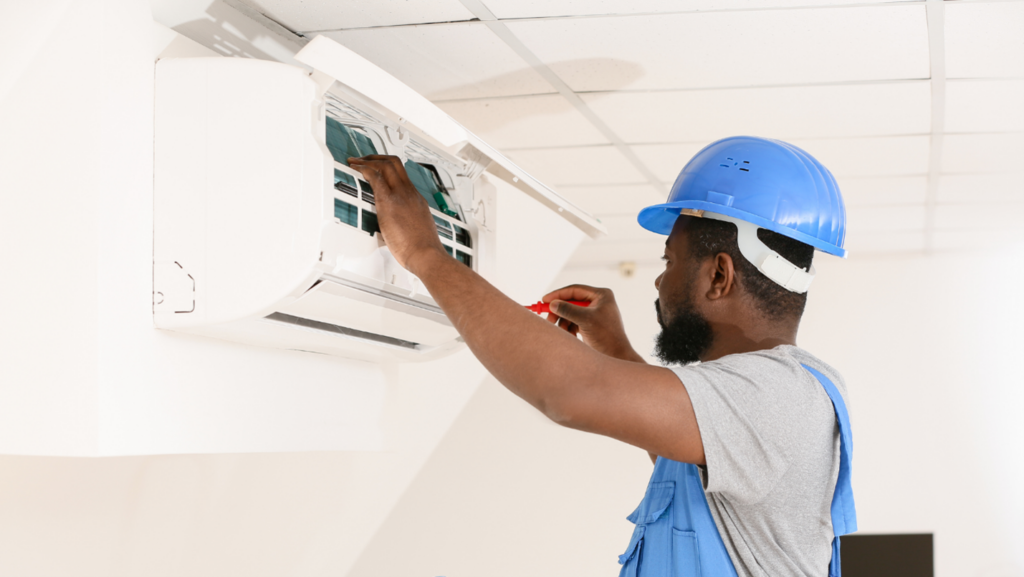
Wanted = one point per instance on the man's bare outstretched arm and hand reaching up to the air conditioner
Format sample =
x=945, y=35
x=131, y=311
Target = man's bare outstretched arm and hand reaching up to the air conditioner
x=569, y=382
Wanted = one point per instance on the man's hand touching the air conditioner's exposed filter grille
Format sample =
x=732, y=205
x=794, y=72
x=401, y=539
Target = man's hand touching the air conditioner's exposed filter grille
x=403, y=214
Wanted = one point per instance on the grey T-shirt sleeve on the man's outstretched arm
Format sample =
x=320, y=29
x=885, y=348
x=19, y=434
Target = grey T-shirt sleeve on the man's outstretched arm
x=740, y=411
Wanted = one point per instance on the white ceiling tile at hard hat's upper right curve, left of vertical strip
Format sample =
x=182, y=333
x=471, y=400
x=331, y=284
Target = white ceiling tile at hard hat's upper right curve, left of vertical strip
x=886, y=156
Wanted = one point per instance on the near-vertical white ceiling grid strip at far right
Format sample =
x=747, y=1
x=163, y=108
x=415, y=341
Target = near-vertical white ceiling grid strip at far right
x=937, y=53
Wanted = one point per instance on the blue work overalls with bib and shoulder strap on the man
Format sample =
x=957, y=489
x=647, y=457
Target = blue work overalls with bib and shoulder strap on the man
x=676, y=537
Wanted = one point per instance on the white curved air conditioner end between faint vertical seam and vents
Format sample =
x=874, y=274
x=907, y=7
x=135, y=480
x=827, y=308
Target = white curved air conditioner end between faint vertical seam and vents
x=266, y=198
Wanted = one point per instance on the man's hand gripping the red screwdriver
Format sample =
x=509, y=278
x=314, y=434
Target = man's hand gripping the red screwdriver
x=601, y=325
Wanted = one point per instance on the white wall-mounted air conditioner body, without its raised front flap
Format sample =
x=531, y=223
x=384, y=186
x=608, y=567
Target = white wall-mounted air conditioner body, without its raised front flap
x=264, y=235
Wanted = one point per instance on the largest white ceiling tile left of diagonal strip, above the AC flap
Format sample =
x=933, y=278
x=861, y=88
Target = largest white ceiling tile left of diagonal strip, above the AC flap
x=459, y=61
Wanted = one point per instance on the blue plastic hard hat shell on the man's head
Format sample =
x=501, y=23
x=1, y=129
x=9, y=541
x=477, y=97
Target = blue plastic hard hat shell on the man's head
x=767, y=183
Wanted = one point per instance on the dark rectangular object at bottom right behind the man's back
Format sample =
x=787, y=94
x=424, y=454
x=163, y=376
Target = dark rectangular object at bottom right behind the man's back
x=887, y=556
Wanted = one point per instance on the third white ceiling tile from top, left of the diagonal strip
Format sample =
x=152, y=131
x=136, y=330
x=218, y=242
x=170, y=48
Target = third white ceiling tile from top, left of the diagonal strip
x=526, y=122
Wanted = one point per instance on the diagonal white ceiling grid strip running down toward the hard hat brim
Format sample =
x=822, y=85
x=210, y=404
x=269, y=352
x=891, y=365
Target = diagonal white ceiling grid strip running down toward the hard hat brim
x=514, y=43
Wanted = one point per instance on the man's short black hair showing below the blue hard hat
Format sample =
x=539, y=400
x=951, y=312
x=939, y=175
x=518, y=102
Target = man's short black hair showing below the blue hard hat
x=709, y=237
